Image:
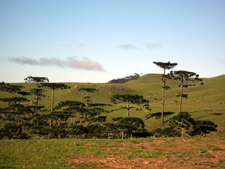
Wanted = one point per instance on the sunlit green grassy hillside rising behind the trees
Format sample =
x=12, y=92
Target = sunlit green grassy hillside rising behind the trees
x=205, y=102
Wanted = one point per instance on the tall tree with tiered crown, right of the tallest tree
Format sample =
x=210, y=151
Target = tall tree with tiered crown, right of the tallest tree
x=183, y=76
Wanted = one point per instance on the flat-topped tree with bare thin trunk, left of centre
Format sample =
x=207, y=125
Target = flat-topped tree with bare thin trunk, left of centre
x=54, y=86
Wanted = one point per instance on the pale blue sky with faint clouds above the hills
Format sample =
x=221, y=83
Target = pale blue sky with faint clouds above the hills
x=99, y=40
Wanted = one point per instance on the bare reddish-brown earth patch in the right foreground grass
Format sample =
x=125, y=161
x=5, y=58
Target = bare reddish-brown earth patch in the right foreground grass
x=179, y=154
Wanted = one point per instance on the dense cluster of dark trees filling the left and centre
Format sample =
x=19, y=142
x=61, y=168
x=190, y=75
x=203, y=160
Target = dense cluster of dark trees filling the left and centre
x=68, y=119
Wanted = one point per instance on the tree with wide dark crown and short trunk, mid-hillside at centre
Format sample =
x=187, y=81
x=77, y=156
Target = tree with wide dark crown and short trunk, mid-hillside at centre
x=130, y=99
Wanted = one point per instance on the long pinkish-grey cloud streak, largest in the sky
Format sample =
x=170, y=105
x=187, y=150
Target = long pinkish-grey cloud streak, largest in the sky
x=71, y=62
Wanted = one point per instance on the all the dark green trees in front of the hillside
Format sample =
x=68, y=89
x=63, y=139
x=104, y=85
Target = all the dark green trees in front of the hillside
x=74, y=119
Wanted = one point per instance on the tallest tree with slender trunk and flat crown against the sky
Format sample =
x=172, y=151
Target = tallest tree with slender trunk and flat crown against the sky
x=164, y=66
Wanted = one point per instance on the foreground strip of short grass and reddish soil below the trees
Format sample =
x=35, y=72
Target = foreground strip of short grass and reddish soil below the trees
x=67, y=153
